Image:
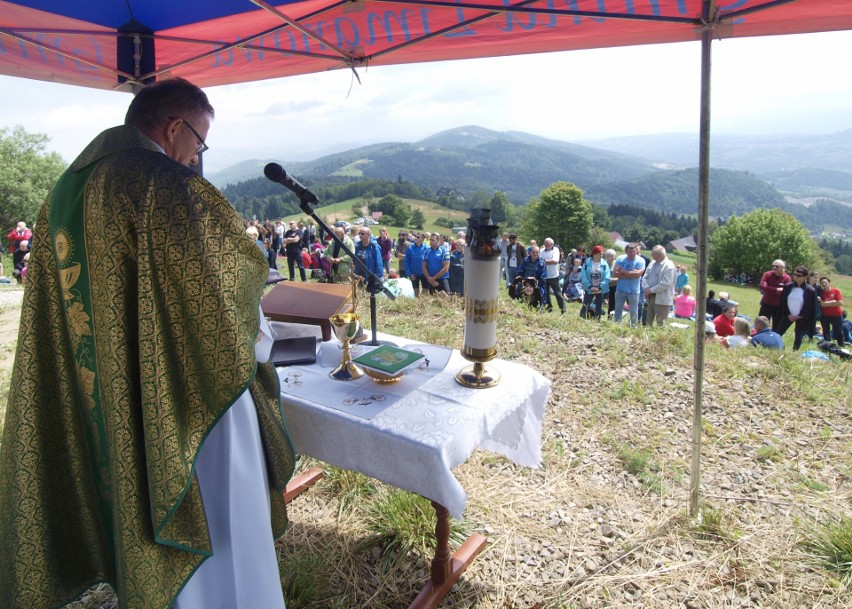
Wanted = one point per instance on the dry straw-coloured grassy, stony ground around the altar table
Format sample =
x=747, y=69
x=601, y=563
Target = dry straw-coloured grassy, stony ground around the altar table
x=585, y=529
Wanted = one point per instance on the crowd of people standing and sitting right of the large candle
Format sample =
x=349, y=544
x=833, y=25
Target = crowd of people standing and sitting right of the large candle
x=653, y=290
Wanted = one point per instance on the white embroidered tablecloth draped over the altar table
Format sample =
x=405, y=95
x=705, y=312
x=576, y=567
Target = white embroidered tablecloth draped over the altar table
x=416, y=442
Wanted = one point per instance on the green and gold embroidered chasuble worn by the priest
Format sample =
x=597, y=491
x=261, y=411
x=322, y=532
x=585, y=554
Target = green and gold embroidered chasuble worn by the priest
x=137, y=333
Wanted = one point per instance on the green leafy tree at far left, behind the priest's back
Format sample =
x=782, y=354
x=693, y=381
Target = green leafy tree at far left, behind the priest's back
x=27, y=172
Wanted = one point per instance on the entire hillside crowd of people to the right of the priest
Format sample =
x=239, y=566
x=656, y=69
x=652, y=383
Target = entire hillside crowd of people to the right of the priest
x=650, y=290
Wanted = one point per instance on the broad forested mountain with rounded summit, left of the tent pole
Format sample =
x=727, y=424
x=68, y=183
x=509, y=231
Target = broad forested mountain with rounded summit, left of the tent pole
x=467, y=159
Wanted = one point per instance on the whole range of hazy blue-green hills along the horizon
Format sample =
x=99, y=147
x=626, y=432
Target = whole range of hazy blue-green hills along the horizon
x=655, y=171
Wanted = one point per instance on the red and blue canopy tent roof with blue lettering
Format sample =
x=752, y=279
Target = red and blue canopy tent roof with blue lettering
x=115, y=44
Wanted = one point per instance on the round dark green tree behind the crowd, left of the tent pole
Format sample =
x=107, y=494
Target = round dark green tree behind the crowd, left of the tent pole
x=561, y=213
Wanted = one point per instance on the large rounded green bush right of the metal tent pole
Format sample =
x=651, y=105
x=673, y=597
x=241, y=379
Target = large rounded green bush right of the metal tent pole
x=750, y=243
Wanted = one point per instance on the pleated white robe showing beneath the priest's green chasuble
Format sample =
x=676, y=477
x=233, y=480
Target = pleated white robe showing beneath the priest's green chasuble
x=231, y=470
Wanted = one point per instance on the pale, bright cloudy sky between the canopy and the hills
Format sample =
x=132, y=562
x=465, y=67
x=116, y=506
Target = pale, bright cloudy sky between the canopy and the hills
x=769, y=85
